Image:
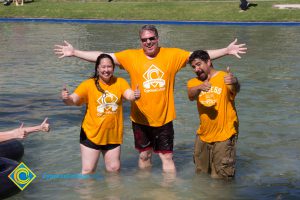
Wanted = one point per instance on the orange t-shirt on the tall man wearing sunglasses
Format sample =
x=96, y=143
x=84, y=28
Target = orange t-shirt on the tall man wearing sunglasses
x=155, y=78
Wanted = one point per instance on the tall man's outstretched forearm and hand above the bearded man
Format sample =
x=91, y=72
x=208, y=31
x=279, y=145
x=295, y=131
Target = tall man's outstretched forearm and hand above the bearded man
x=232, y=49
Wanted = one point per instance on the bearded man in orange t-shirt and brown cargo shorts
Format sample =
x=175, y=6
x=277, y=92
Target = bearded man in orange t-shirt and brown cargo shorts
x=214, y=91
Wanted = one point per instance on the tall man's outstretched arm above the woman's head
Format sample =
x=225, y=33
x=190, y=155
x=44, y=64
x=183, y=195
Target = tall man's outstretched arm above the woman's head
x=67, y=50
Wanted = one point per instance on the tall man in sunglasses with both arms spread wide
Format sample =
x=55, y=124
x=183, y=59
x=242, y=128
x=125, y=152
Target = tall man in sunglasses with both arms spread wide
x=153, y=68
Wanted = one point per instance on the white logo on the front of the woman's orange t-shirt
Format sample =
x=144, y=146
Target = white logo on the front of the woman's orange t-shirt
x=107, y=103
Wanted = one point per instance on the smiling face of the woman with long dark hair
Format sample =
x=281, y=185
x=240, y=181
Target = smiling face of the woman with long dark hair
x=105, y=70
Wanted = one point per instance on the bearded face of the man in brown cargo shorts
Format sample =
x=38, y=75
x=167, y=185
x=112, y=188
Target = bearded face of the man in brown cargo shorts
x=201, y=68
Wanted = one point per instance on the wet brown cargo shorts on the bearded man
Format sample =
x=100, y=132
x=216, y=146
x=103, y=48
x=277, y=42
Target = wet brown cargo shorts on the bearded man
x=217, y=158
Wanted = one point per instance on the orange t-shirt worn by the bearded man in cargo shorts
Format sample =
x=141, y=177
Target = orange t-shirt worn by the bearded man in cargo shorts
x=217, y=113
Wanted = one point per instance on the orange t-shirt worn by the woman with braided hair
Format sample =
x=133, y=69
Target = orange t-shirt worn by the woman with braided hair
x=103, y=121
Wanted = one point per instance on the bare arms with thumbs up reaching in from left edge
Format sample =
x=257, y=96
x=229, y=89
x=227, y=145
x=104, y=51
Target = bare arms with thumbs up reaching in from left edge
x=22, y=132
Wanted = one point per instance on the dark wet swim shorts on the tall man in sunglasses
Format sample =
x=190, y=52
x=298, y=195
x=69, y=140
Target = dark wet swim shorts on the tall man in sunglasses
x=160, y=139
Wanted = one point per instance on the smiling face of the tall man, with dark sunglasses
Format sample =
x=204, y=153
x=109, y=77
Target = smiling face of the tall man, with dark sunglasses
x=149, y=43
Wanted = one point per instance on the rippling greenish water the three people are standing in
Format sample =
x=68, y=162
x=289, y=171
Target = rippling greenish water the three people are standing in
x=31, y=77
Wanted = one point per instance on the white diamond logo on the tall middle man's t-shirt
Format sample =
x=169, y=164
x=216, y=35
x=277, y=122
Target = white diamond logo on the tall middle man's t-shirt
x=154, y=79
